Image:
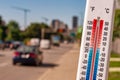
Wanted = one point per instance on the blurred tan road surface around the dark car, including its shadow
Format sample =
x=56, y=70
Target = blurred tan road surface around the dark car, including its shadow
x=10, y=72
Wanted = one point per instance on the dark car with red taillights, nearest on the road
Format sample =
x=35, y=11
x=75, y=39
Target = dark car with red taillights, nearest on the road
x=28, y=55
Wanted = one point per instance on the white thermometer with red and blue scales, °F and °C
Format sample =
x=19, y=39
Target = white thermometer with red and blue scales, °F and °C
x=96, y=40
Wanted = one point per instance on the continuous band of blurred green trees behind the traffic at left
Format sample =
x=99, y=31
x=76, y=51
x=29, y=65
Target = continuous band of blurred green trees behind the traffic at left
x=12, y=31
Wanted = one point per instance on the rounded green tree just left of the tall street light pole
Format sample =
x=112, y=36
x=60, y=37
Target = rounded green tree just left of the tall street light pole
x=13, y=31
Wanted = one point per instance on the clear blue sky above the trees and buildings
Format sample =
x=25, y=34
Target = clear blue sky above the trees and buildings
x=50, y=9
